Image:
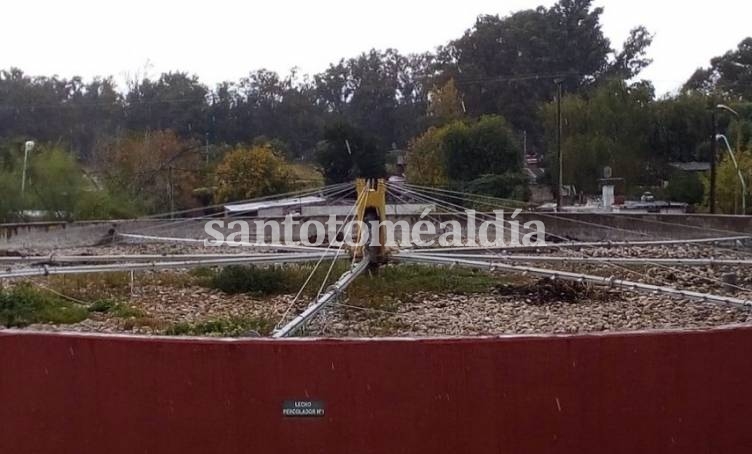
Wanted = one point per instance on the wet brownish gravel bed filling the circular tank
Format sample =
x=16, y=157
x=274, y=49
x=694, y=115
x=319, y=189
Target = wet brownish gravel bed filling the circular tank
x=532, y=306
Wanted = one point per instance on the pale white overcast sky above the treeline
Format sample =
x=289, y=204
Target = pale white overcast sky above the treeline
x=225, y=39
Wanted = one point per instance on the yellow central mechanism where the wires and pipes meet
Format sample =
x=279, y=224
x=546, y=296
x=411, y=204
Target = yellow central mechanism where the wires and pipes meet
x=371, y=208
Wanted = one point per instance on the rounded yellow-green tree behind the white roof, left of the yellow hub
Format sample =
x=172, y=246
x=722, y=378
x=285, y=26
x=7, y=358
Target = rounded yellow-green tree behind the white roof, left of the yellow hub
x=251, y=173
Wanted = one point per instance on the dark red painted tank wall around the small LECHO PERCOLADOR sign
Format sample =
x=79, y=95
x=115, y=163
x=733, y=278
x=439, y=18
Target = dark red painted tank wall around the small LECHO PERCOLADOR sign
x=643, y=393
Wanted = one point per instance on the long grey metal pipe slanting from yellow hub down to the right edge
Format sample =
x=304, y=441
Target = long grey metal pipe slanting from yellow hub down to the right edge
x=579, y=277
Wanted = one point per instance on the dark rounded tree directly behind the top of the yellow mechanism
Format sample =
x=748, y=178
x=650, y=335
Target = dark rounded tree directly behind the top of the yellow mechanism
x=347, y=153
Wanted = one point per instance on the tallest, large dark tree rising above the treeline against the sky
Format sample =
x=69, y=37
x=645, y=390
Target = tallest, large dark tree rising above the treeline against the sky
x=507, y=65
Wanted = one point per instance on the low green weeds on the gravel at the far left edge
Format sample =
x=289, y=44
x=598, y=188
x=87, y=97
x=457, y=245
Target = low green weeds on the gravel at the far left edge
x=23, y=305
